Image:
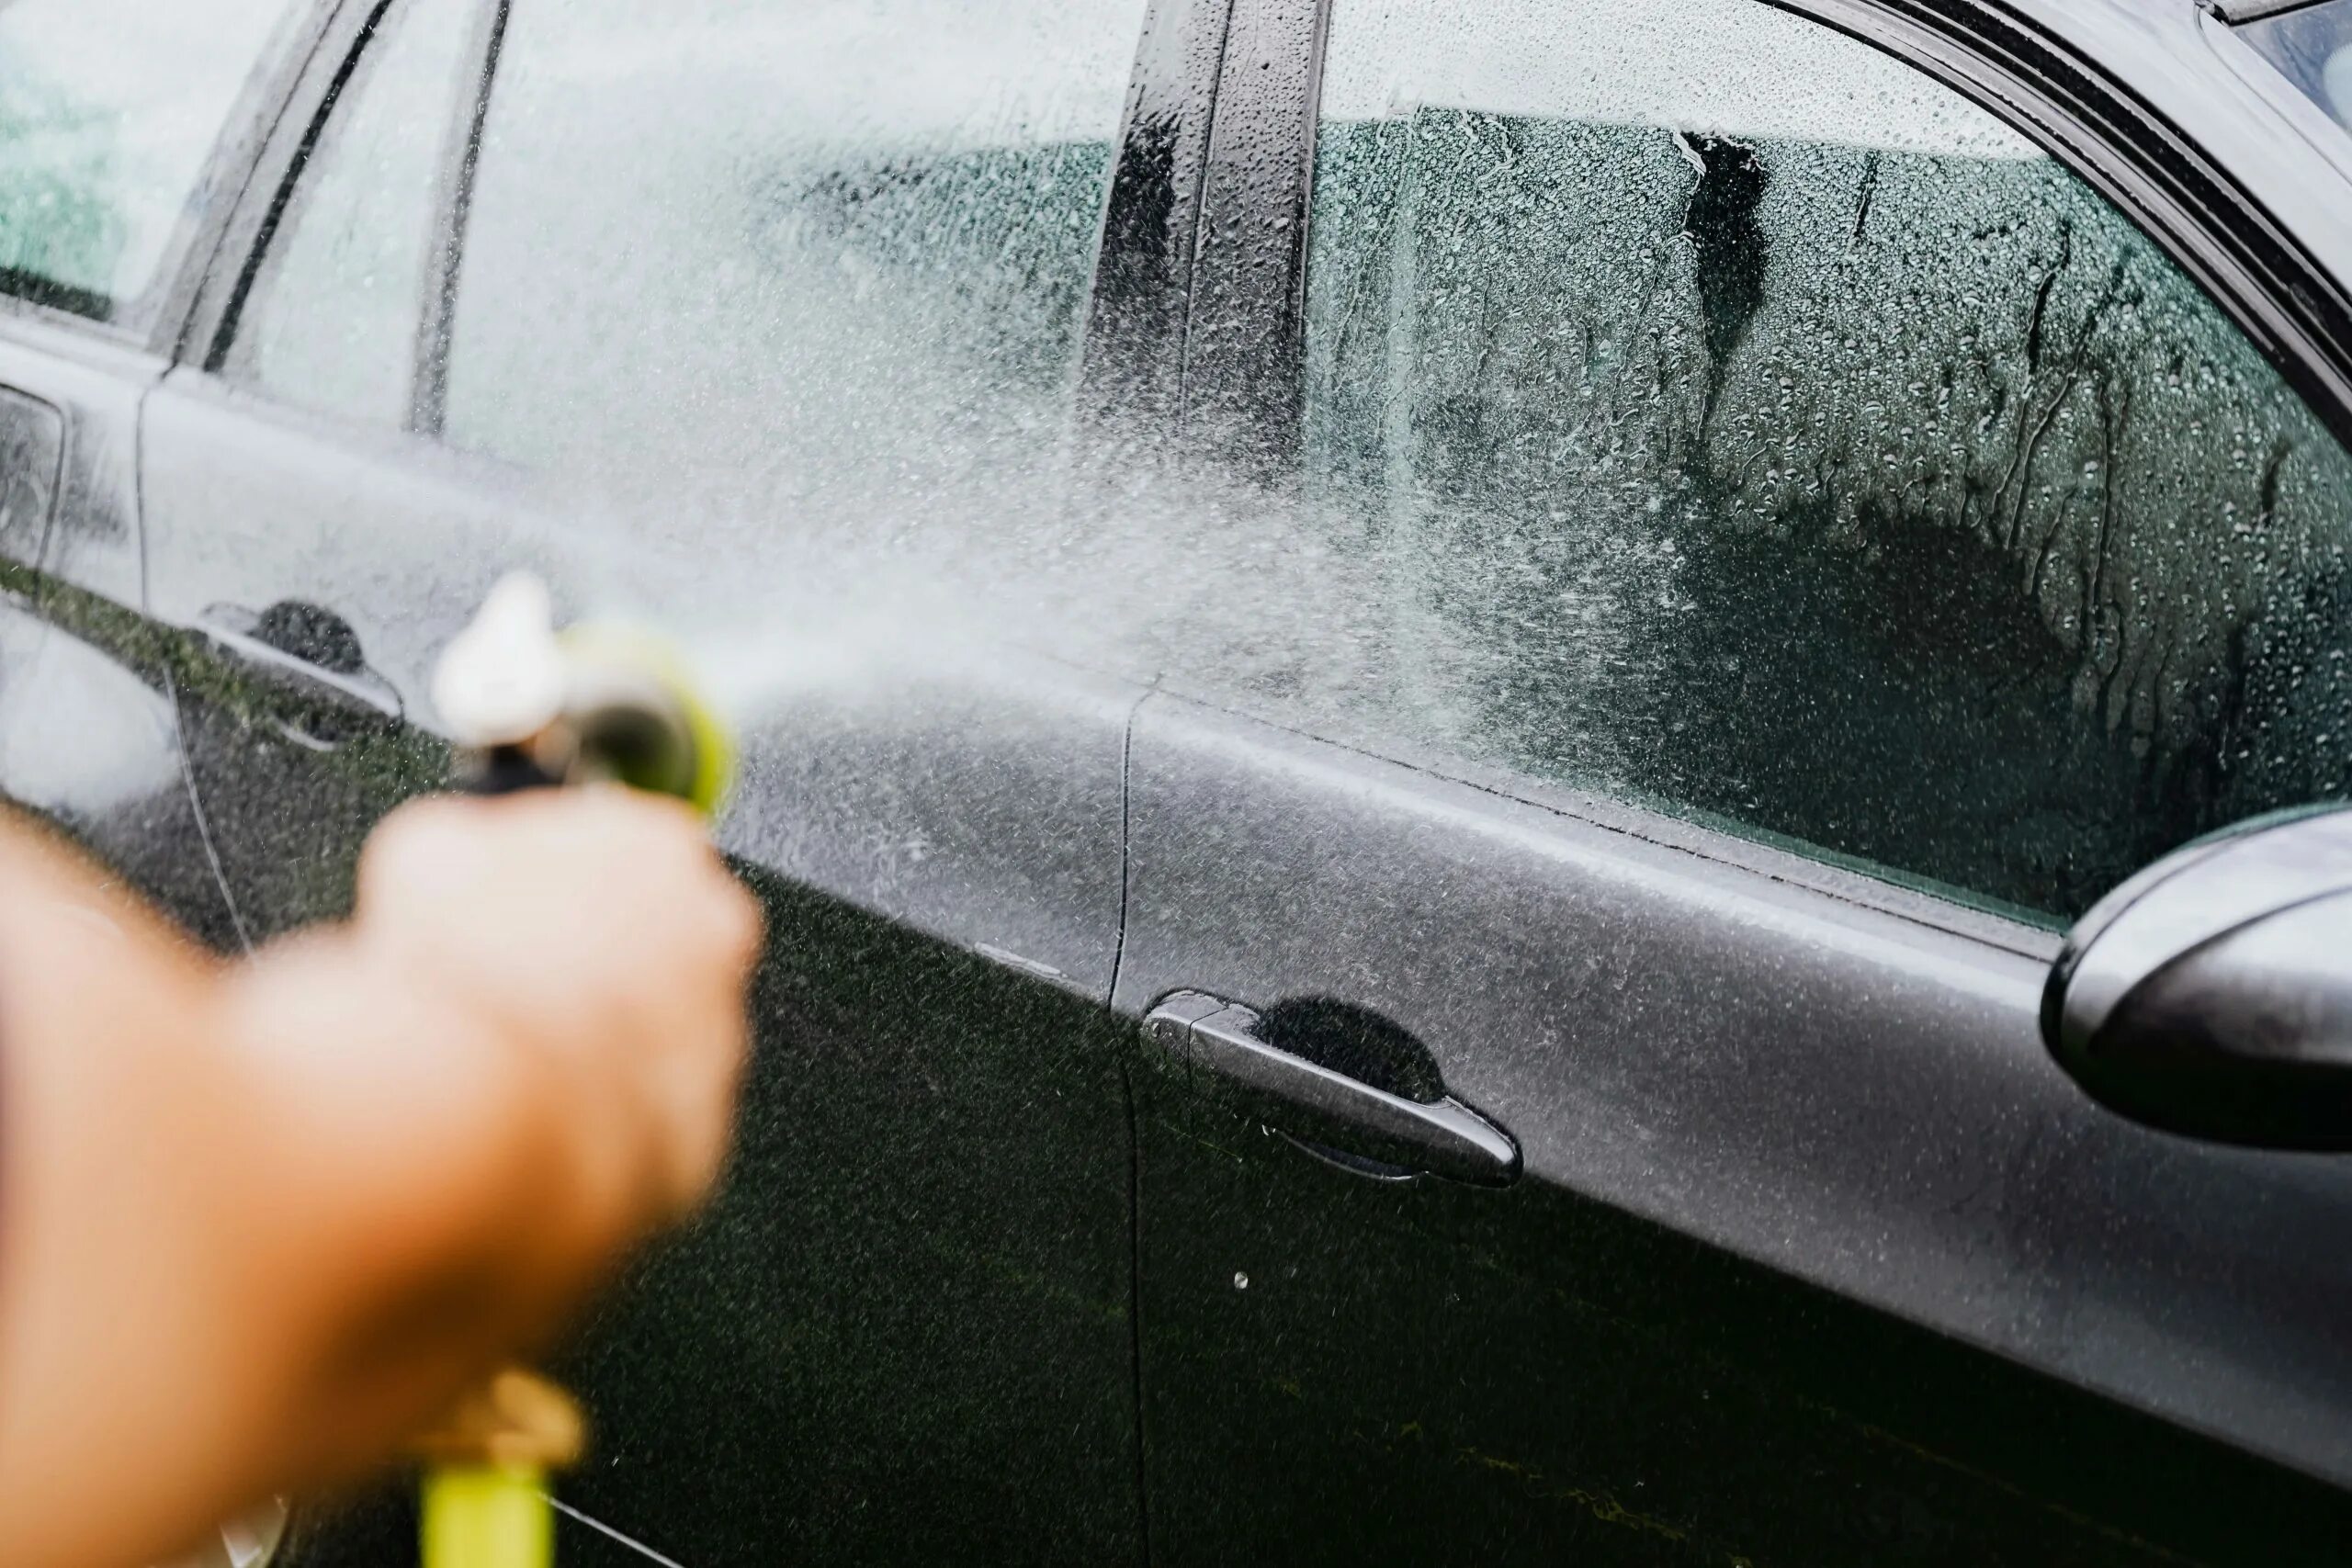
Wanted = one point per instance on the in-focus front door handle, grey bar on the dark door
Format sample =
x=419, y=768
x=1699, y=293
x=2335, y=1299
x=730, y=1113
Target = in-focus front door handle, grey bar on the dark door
x=1231, y=1061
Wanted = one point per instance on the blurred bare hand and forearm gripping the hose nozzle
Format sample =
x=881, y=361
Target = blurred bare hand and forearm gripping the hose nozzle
x=262, y=1221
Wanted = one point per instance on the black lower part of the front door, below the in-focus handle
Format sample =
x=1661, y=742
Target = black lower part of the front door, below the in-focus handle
x=1431, y=1372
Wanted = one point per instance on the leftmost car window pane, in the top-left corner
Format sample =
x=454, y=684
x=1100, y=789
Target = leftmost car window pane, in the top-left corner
x=109, y=112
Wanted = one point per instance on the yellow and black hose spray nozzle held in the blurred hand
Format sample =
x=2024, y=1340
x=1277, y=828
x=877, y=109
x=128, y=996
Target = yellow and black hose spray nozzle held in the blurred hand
x=533, y=709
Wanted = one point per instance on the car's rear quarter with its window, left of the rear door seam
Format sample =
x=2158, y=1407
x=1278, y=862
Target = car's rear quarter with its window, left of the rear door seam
x=109, y=154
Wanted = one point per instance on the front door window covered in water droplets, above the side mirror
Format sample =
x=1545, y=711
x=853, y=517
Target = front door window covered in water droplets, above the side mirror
x=1723, y=415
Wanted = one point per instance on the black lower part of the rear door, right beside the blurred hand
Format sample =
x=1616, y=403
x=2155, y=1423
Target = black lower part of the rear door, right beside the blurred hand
x=902, y=1334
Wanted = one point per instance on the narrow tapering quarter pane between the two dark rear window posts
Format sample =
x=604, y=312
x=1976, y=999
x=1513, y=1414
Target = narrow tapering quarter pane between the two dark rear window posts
x=335, y=311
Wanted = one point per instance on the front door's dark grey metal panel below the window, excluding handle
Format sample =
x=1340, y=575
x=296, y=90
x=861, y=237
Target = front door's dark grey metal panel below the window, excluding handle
x=1697, y=1059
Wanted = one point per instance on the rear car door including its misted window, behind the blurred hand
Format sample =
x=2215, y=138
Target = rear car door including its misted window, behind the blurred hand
x=617, y=295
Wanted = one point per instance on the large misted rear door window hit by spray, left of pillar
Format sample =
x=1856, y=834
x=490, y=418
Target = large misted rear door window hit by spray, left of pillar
x=820, y=260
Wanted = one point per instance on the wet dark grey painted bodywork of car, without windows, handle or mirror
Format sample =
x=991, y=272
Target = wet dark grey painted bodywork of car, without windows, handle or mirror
x=1812, y=1259
